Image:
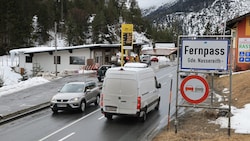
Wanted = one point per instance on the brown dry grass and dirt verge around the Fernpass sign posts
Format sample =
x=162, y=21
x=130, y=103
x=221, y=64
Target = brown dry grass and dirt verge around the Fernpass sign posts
x=194, y=125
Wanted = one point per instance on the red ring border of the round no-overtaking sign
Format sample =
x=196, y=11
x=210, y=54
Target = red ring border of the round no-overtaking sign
x=204, y=97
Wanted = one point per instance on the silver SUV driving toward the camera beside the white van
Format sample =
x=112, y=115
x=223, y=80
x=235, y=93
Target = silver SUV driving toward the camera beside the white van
x=75, y=95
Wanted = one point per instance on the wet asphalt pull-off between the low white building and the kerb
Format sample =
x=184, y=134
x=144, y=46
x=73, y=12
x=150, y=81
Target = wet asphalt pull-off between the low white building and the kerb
x=36, y=95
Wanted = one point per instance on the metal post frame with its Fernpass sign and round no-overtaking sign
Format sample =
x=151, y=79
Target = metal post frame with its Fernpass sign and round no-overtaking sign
x=202, y=55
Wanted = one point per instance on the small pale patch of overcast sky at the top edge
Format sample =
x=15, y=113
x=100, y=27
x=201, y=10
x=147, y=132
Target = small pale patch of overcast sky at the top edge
x=149, y=3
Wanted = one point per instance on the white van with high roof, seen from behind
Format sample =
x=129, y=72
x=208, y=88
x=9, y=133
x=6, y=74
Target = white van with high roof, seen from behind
x=131, y=90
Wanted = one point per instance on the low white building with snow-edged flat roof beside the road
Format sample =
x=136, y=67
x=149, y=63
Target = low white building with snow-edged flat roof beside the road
x=43, y=59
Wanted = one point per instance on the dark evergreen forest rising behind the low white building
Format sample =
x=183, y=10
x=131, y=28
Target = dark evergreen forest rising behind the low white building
x=17, y=28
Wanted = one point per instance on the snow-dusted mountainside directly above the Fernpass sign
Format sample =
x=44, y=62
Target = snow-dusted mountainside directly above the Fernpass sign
x=214, y=17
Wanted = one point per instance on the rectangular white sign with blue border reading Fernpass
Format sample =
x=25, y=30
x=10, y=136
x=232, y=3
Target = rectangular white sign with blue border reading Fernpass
x=204, y=54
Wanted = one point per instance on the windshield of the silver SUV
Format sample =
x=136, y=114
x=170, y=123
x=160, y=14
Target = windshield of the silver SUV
x=72, y=88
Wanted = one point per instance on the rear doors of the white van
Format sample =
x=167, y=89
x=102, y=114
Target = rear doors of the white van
x=120, y=96
